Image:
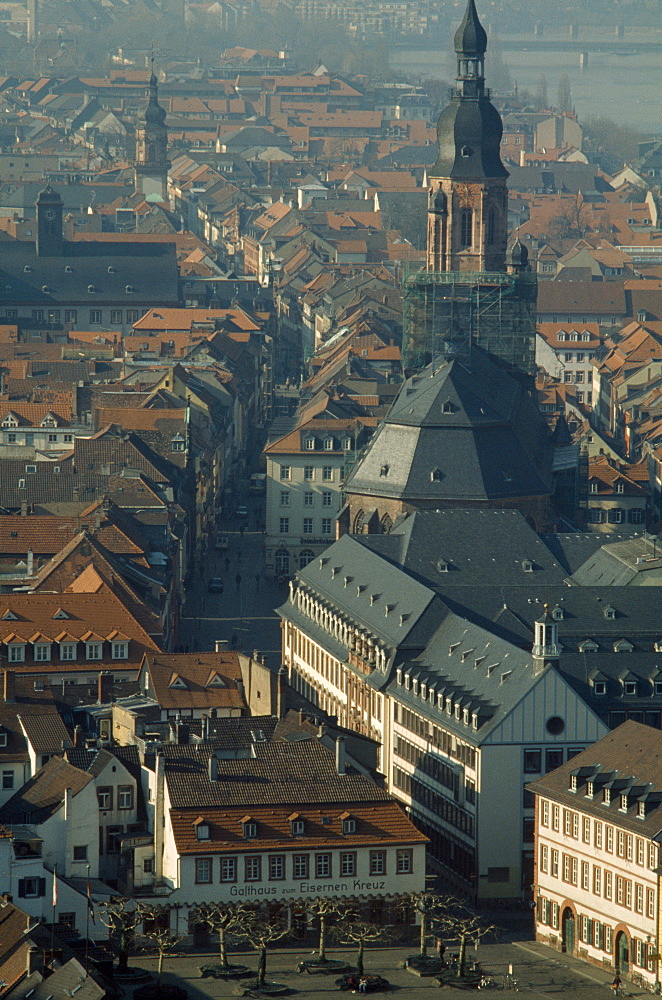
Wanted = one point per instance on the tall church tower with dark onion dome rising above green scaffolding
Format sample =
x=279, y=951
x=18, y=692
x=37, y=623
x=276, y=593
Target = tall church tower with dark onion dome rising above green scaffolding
x=468, y=201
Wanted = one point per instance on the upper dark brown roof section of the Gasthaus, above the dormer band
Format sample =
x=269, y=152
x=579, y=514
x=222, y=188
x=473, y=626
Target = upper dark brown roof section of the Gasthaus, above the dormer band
x=279, y=773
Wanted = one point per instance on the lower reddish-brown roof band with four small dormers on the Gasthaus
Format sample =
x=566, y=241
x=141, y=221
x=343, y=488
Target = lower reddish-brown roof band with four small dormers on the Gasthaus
x=380, y=823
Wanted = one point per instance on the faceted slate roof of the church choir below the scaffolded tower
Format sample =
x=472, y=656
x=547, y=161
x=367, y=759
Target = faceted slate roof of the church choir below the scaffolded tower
x=464, y=430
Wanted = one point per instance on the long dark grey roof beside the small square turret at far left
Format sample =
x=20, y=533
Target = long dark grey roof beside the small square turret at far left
x=148, y=270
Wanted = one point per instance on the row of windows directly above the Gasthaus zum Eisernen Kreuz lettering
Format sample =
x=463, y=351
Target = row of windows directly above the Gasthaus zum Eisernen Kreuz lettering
x=276, y=866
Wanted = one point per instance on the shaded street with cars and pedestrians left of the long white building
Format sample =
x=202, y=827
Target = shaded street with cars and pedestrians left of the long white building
x=245, y=610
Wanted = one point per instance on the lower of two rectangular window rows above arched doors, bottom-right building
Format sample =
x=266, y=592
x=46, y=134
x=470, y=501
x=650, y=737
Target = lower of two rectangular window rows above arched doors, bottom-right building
x=604, y=882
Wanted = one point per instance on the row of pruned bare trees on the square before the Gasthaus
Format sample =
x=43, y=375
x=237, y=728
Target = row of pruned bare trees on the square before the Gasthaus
x=261, y=925
